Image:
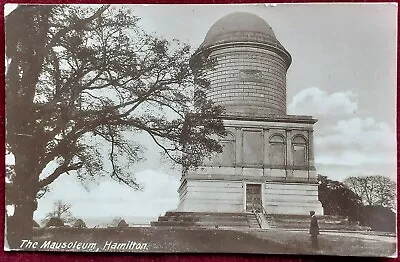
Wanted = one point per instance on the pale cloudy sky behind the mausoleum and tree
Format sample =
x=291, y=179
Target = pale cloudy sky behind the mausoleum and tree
x=344, y=73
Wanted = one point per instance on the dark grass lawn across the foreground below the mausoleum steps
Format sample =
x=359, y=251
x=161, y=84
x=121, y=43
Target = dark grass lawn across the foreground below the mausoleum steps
x=206, y=241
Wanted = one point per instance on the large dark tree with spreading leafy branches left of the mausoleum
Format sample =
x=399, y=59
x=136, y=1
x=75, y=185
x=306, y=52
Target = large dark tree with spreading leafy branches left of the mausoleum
x=81, y=80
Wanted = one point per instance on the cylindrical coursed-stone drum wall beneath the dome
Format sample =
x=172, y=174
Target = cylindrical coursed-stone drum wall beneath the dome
x=248, y=81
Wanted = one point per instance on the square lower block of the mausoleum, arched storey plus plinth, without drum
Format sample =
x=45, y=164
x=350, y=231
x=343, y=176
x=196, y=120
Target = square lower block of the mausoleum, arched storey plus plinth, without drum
x=220, y=184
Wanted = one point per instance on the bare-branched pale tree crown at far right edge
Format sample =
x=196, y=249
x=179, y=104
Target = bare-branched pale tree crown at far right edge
x=373, y=190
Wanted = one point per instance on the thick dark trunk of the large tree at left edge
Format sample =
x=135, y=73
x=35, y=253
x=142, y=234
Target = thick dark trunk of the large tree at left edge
x=27, y=28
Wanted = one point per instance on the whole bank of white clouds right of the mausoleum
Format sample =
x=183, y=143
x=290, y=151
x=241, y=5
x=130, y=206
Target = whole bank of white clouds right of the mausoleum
x=346, y=142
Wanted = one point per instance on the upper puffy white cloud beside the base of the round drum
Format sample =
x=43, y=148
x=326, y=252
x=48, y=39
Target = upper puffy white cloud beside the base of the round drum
x=316, y=102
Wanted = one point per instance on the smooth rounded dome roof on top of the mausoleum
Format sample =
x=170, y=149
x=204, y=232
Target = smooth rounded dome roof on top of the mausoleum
x=239, y=27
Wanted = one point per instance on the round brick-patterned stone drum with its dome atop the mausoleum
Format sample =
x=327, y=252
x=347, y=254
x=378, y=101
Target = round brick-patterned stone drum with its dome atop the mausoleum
x=249, y=78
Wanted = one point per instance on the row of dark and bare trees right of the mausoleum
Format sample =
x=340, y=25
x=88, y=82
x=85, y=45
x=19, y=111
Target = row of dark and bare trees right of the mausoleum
x=366, y=200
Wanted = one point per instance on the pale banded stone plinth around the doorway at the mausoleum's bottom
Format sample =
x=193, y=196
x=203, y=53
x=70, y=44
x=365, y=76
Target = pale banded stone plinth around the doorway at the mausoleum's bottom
x=223, y=195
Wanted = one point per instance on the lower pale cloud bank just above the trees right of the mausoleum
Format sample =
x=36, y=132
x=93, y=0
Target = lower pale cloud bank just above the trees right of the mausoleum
x=357, y=143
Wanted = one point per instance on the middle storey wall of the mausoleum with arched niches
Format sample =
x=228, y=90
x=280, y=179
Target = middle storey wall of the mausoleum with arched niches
x=280, y=150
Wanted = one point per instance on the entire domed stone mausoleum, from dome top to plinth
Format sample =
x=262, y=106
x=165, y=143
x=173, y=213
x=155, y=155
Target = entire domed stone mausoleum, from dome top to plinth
x=268, y=157
